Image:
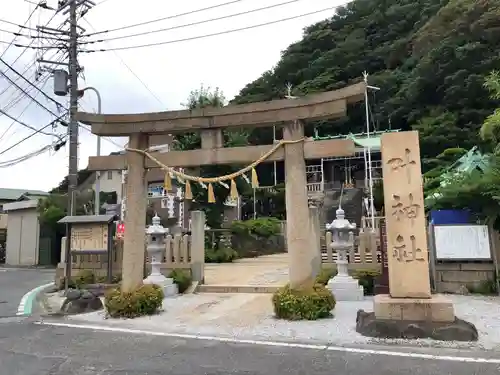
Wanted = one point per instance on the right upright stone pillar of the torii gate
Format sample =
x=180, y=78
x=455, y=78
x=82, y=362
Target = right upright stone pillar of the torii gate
x=302, y=256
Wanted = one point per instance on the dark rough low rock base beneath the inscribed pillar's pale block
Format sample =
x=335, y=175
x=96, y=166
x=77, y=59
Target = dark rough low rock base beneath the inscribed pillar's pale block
x=458, y=330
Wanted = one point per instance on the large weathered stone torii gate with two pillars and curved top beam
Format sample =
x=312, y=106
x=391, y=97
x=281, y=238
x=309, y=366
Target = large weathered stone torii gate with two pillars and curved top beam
x=210, y=122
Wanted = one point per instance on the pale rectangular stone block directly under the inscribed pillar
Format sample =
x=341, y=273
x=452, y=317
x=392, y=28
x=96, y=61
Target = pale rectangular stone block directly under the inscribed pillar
x=435, y=309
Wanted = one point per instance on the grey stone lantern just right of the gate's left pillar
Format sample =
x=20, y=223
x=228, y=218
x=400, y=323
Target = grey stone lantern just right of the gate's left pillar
x=155, y=246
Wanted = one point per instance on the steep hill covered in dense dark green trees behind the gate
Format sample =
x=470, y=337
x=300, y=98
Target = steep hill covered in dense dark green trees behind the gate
x=429, y=57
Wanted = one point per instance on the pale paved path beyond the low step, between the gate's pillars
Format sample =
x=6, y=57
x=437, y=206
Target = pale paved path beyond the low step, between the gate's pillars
x=266, y=270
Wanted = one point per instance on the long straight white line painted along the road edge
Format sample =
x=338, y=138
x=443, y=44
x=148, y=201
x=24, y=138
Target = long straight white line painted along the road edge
x=277, y=343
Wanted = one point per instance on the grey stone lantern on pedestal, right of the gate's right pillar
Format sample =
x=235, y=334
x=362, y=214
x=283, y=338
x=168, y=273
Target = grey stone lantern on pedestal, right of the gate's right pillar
x=343, y=286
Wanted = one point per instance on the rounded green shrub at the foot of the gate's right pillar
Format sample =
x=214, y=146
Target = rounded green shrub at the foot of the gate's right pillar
x=306, y=304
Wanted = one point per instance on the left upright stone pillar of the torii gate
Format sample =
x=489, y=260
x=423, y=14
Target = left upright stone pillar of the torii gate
x=135, y=220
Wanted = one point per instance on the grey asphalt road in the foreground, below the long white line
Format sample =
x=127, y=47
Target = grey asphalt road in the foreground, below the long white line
x=30, y=349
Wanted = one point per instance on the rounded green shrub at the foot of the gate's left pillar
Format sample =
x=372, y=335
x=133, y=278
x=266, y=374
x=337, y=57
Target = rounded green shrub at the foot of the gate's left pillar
x=146, y=300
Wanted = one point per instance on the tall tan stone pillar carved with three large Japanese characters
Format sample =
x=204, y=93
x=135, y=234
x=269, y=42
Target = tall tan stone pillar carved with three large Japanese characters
x=407, y=252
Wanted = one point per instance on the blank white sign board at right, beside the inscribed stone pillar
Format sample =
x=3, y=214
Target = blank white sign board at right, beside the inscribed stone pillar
x=462, y=242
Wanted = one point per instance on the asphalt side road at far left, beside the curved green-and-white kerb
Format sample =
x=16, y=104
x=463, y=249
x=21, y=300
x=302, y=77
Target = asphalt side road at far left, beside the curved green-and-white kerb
x=14, y=283
